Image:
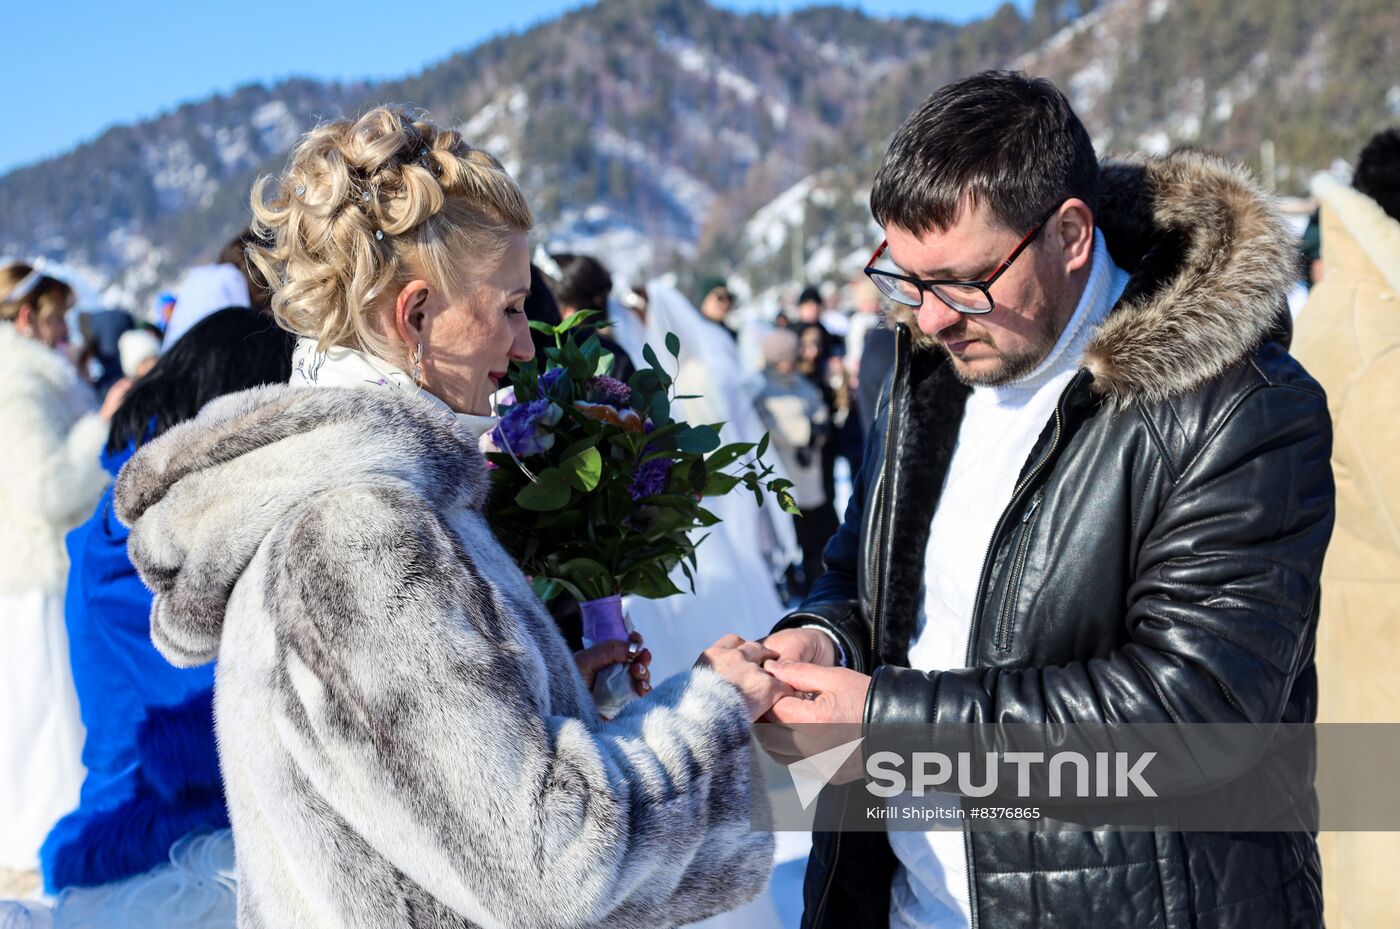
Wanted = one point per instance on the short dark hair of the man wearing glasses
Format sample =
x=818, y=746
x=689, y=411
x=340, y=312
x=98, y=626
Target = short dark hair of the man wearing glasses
x=1003, y=139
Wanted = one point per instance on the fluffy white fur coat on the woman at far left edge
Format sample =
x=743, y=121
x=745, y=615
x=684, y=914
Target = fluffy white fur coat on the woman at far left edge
x=50, y=471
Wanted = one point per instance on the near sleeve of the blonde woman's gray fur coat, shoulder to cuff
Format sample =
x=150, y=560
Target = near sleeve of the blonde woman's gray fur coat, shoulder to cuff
x=432, y=728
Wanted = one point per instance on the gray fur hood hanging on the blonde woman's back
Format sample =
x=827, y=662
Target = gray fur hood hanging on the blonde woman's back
x=204, y=496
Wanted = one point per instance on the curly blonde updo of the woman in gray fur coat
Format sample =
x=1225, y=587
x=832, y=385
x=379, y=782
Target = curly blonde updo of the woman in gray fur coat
x=367, y=206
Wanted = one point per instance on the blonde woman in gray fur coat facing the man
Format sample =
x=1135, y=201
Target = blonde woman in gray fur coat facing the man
x=404, y=734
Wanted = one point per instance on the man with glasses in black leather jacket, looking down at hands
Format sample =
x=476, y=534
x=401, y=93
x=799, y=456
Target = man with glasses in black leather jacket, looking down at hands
x=1156, y=559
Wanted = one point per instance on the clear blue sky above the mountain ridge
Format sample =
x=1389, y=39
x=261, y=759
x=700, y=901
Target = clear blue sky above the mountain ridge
x=78, y=68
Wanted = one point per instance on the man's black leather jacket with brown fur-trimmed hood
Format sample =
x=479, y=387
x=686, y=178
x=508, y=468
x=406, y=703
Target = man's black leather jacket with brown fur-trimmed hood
x=1158, y=563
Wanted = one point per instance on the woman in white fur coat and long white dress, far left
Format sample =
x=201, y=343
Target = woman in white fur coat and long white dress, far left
x=50, y=481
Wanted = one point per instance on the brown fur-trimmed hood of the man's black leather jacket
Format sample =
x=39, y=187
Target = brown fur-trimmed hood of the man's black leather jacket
x=1210, y=264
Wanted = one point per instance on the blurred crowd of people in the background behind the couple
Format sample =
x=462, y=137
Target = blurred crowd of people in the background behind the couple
x=107, y=752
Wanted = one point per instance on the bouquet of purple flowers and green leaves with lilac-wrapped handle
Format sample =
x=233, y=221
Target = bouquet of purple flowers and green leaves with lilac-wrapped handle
x=597, y=488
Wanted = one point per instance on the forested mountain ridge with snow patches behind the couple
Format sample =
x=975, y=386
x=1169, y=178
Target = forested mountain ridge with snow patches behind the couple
x=670, y=135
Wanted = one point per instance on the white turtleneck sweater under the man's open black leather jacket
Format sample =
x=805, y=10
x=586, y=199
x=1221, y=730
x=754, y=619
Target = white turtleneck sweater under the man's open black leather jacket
x=1000, y=427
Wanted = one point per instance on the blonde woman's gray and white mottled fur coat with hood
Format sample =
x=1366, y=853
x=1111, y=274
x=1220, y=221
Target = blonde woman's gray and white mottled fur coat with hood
x=405, y=738
